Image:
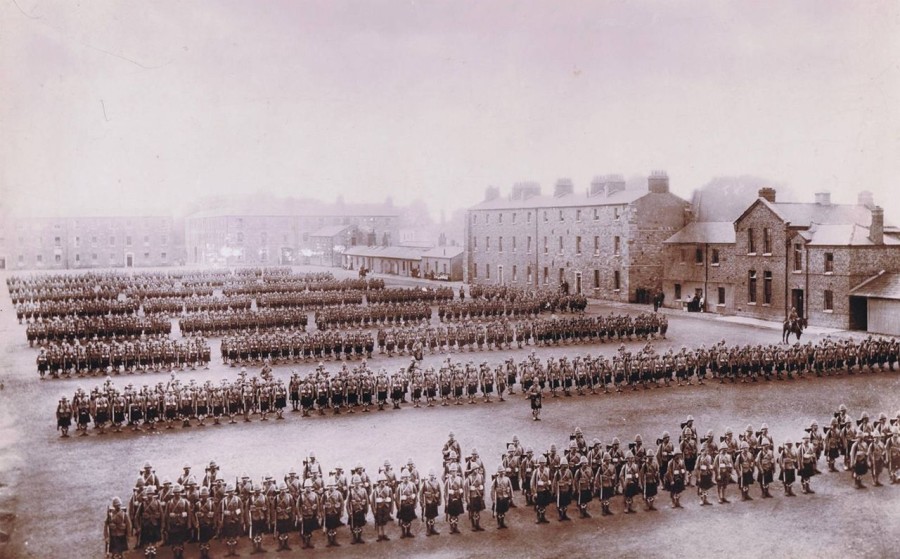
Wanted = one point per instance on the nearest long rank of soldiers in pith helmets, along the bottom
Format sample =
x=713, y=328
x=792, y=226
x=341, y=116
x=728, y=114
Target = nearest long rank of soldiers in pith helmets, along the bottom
x=307, y=500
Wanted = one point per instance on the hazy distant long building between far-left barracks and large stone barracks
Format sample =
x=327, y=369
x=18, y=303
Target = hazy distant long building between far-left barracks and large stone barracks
x=287, y=232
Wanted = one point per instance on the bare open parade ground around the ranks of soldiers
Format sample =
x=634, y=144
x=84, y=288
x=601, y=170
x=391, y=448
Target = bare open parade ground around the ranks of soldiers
x=54, y=492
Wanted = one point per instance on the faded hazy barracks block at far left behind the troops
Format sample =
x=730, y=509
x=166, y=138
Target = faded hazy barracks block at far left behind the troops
x=54, y=243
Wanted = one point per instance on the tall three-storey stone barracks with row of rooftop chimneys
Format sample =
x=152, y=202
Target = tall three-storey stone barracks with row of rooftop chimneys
x=605, y=243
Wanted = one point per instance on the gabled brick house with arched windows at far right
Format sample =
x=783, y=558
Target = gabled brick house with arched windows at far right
x=808, y=256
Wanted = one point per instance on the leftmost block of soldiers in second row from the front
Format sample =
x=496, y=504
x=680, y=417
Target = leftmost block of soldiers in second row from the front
x=172, y=403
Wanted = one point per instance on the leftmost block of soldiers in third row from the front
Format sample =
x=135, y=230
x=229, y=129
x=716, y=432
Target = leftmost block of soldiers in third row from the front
x=127, y=355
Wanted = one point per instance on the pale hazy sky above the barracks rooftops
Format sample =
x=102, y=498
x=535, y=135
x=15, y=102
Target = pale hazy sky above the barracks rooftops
x=110, y=107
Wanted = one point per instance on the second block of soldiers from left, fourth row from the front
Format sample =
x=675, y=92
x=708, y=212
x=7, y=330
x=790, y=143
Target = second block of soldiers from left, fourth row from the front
x=212, y=323
